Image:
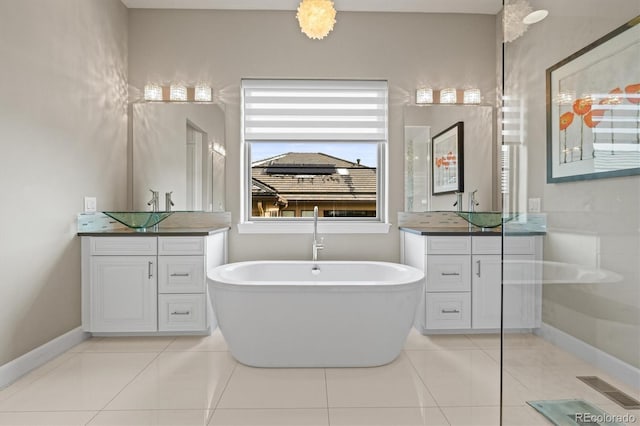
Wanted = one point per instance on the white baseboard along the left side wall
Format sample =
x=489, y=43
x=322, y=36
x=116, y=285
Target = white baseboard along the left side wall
x=13, y=370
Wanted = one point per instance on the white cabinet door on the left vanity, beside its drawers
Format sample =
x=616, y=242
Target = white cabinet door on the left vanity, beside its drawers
x=123, y=294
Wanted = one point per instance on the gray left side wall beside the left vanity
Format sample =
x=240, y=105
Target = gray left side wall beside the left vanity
x=63, y=136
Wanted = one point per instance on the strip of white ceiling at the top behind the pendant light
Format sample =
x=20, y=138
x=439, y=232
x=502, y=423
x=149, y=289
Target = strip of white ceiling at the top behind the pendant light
x=491, y=7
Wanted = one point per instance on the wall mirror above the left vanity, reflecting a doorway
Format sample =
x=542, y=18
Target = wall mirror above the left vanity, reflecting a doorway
x=179, y=149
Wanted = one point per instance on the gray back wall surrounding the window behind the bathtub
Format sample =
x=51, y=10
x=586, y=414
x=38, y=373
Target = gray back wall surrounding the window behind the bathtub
x=408, y=50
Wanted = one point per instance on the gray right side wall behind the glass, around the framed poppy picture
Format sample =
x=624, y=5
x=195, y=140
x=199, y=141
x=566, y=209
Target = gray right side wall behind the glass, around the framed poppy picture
x=593, y=223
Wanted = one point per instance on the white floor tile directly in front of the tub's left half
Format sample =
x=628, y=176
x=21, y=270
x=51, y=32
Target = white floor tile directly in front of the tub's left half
x=275, y=388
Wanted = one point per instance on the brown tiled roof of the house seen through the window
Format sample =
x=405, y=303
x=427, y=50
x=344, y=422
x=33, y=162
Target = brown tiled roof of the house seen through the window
x=314, y=176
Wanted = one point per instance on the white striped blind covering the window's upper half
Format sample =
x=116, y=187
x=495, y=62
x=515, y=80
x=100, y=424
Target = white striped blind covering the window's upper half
x=314, y=110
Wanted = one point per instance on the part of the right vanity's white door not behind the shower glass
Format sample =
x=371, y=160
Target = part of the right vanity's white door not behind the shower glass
x=485, y=291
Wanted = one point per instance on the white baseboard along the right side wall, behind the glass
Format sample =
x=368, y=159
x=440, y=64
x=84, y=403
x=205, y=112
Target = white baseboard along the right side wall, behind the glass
x=611, y=365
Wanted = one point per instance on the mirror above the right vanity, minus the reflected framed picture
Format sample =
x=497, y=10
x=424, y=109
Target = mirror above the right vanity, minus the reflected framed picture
x=421, y=124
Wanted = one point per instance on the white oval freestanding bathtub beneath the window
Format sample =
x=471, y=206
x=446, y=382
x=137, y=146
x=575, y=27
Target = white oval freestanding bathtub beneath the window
x=315, y=314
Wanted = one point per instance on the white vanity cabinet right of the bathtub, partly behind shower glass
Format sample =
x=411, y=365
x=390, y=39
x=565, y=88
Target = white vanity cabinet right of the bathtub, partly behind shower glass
x=464, y=281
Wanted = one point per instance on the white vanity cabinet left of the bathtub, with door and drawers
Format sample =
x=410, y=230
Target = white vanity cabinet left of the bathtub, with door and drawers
x=148, y=284
